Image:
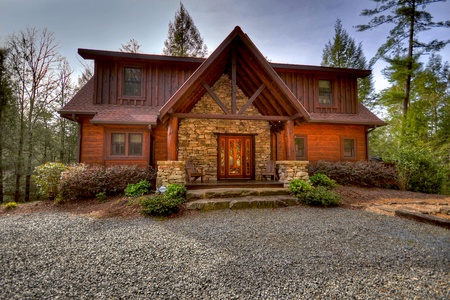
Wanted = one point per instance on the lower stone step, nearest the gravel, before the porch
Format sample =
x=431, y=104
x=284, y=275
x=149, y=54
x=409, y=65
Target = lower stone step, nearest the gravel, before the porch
x=274, y=201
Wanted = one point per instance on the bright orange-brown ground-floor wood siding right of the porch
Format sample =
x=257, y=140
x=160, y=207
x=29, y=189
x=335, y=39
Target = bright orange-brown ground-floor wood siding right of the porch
x=324, y=141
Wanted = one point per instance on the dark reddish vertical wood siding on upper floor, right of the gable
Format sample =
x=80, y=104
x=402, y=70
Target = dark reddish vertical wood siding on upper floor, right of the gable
x=304, y=85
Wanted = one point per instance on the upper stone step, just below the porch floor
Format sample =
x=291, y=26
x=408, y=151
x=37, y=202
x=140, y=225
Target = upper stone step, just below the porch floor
x=193, y=195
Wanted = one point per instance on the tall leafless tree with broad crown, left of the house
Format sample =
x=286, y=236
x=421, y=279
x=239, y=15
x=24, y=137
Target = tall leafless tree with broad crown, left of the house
x=33, y=58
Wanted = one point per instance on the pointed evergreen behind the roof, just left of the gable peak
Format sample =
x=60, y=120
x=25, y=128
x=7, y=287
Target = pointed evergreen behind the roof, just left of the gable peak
x=183, y=38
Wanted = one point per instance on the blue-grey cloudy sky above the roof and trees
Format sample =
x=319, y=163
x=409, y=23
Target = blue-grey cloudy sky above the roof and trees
x=285, y=31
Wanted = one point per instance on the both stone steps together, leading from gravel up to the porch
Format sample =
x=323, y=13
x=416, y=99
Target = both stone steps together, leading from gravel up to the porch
x=239, y=198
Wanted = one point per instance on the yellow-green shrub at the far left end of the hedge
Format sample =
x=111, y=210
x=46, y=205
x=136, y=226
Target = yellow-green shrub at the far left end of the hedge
x=47, y=178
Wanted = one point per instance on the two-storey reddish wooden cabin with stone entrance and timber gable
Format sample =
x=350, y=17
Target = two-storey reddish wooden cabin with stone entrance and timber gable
x=229, y=113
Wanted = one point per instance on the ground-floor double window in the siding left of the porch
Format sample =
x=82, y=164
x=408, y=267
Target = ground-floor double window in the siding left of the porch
x=126, y=144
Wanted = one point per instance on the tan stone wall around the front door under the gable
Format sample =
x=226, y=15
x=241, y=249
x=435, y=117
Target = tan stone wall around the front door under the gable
x=197, y=140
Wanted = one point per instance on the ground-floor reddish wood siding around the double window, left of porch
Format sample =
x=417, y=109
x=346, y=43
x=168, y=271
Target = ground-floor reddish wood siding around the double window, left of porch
x=95, y=147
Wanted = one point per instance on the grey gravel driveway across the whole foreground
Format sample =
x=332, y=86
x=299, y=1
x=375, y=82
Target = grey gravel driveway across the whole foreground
x=290, y=253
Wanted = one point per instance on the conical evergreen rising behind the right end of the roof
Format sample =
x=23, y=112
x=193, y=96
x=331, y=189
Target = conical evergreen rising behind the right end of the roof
x=343, y=52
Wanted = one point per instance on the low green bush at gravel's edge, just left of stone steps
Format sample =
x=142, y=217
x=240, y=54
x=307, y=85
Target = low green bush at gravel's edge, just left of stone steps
x=160, y=205
